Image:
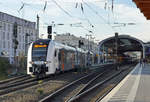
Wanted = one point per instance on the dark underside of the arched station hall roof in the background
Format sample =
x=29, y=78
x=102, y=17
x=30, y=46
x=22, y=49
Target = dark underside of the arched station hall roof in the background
x=126, y=43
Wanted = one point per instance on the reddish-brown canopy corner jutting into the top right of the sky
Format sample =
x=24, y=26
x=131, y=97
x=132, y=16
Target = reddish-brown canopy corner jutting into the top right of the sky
x=144, y=6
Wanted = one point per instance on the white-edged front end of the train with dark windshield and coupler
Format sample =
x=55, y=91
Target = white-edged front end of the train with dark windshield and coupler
x=36, y=59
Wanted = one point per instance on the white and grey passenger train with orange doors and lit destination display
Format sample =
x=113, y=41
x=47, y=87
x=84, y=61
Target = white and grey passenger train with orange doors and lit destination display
x=47, y=57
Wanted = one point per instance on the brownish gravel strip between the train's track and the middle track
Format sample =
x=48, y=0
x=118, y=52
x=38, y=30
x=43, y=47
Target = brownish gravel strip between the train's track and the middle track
x=32, y=94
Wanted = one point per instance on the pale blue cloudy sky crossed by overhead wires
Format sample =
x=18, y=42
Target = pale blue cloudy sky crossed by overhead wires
x=81, y=17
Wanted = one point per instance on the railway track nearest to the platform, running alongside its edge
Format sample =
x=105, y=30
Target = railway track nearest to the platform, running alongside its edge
x=92, y=91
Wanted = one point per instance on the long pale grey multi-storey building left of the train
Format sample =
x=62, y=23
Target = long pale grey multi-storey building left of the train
x=26, y=33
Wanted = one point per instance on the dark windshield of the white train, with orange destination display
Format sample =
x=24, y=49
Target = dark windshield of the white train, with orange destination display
x=39, y=50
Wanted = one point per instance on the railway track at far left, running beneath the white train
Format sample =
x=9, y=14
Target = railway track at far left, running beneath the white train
x=24, y=82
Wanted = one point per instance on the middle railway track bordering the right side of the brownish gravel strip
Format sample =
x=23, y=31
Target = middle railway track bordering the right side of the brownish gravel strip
x=68, y=91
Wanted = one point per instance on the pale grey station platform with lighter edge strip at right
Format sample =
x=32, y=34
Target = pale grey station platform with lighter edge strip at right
x=135, y=87
